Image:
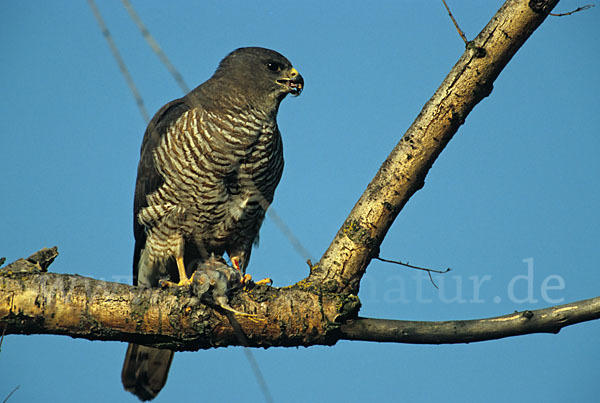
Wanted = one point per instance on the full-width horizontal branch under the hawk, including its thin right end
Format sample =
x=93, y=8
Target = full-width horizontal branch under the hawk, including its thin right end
x=34, y=302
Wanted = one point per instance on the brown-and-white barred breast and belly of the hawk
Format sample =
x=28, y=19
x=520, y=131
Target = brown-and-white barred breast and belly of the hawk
x=220, y=173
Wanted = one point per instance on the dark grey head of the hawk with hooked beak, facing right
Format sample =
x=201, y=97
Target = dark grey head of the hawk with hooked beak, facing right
x=259, y=74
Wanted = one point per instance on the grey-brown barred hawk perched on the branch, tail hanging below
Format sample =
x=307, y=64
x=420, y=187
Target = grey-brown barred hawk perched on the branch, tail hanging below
x=209, y=166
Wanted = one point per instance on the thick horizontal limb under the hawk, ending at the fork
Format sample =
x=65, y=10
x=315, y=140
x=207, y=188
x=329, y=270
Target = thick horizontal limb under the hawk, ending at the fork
x=81, y=307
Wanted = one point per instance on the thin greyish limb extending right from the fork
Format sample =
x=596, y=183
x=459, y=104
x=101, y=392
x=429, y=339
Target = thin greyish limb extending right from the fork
x=548, y=320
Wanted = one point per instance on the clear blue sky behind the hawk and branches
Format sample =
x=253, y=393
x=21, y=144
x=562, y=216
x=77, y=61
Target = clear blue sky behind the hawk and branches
x=510, y=205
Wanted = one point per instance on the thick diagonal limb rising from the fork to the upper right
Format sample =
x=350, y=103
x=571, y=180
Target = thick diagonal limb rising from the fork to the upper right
x=403, y=173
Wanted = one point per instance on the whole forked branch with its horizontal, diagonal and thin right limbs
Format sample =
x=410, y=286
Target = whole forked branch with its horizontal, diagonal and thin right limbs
x=322, y=308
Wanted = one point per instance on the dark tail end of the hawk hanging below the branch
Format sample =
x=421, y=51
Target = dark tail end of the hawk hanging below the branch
x=145, y=370
